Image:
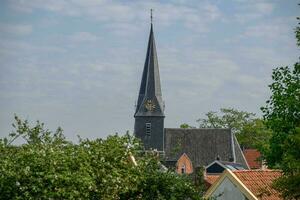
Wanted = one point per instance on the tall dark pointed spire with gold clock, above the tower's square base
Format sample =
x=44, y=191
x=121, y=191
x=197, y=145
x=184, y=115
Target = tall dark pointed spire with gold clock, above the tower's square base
x=150, y=89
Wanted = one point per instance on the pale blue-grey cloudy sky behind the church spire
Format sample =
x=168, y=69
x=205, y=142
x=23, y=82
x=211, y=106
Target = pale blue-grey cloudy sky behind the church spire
x=78, y=63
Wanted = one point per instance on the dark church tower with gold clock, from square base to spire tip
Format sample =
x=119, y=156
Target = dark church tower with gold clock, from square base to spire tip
x=149, y=114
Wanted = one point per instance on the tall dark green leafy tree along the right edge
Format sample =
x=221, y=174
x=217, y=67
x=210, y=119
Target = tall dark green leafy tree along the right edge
x=282, y=113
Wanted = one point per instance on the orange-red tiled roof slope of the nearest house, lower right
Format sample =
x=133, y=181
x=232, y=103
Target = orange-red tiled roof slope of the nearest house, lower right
x=259, y=182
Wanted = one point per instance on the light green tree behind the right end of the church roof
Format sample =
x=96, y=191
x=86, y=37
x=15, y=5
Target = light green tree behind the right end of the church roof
x=250, y=131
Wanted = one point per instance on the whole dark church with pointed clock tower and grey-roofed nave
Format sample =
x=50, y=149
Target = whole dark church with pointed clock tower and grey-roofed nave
x=183, y=149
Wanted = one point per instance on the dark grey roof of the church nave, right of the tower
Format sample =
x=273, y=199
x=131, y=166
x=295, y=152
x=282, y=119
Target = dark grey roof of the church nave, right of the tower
x=203, y=146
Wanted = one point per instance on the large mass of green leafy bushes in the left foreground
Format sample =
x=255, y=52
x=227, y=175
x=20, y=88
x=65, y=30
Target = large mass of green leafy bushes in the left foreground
x=48, y=166
